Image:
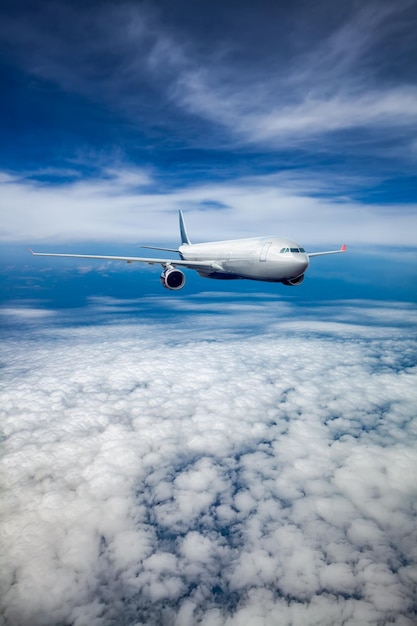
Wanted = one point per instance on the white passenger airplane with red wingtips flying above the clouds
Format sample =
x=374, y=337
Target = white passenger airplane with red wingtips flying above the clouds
x=269, y=259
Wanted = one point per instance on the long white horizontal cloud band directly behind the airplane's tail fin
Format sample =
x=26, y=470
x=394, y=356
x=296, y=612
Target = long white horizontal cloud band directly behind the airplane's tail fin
x=126, y=208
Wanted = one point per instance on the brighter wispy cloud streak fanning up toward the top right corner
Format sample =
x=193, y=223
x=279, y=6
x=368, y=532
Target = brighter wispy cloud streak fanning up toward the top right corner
x=333, y=86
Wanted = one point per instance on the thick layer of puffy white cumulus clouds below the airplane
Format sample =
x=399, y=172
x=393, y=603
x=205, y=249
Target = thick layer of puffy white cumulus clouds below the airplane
x=175, y=475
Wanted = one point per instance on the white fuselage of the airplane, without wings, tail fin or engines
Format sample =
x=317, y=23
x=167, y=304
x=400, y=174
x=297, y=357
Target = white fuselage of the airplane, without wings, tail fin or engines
x=258, y=258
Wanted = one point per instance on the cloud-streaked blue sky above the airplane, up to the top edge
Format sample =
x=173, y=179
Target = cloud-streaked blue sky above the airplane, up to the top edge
x=295, y=120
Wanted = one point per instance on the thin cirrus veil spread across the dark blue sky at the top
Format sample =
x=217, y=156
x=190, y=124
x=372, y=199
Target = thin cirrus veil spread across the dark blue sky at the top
x=332, y=81
